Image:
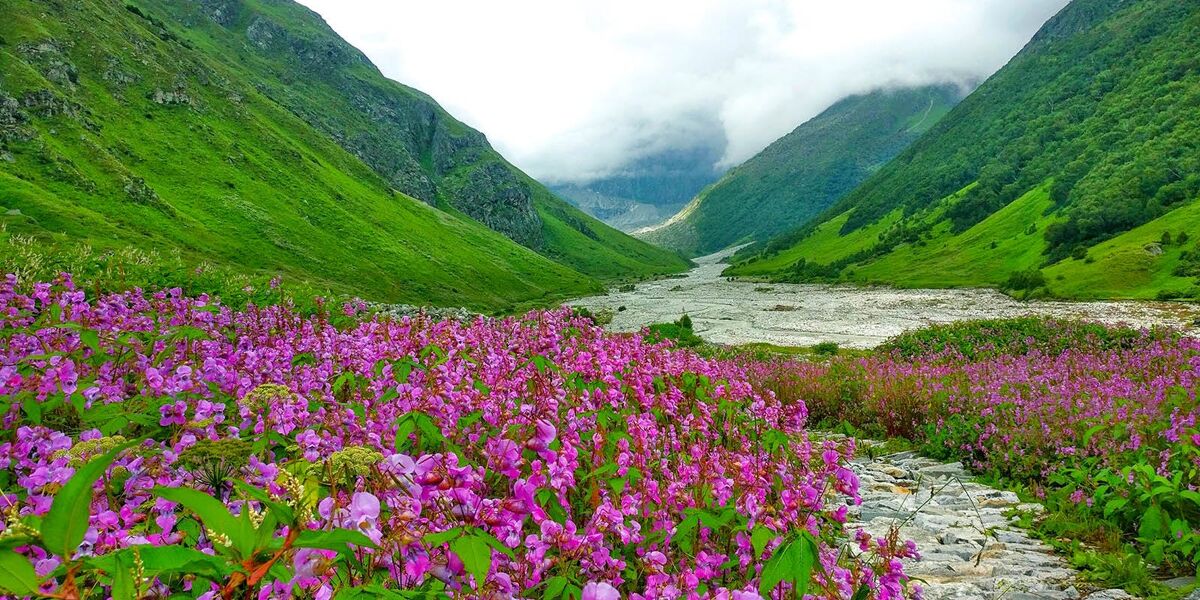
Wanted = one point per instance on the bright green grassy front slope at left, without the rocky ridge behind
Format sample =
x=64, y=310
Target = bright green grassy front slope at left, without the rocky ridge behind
x=119, y=134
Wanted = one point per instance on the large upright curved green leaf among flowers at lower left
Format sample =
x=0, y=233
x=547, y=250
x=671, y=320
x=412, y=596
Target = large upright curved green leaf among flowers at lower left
x=65, y=525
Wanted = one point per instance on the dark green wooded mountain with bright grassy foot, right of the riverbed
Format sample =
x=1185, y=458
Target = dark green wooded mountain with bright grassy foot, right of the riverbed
x=1073, y=171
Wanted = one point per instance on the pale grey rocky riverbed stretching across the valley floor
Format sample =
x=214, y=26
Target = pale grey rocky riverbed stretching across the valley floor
x=802, y=315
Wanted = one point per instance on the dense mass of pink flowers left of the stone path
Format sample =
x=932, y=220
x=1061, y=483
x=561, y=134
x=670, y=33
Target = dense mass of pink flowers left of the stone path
x=591, y=464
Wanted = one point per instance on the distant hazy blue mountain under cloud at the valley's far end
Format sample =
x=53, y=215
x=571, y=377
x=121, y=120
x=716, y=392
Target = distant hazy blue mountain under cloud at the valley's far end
x=649, y=190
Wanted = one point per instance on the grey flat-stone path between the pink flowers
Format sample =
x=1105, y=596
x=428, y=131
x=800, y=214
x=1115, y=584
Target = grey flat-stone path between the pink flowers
x=969, y=549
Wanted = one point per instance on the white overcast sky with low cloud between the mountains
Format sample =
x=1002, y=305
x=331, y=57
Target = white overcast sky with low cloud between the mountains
x=572, y=89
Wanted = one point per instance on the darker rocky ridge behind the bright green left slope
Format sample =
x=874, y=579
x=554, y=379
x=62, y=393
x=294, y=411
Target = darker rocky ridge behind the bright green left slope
x=298, y=62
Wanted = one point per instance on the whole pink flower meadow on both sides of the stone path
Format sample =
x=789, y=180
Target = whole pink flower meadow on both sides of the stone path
x=159, y=443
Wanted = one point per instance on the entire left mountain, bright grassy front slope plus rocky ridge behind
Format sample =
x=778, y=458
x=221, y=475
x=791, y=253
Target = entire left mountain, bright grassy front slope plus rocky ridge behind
x=248, y=135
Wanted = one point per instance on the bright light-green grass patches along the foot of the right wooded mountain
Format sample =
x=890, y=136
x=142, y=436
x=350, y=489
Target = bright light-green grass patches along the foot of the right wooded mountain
x=1007, y=242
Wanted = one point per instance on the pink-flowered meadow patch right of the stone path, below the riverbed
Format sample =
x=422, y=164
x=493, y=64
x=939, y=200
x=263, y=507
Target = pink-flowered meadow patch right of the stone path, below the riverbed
x=1099, y=424
